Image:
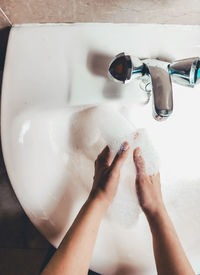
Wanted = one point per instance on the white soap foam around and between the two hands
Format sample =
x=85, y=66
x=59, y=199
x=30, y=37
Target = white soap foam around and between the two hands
x=116, y=129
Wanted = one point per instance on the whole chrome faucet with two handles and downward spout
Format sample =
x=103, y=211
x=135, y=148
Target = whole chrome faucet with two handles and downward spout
x=156, y=77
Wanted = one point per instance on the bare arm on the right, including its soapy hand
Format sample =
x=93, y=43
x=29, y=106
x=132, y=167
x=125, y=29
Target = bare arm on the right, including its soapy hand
x=169, y=255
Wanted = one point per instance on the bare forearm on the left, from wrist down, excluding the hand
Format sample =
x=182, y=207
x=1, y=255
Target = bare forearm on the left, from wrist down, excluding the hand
x=74, y=253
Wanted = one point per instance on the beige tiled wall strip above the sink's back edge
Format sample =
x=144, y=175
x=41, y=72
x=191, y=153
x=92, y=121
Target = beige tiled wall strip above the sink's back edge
x=141, y=11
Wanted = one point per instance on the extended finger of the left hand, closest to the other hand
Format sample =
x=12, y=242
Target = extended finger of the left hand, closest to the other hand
x=120, y=157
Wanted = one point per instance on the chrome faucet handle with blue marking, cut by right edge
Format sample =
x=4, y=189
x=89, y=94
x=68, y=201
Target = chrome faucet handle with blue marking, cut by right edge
x=186, y=72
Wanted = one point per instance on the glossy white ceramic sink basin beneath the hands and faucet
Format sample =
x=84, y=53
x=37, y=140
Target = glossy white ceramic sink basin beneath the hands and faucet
x=55, y=77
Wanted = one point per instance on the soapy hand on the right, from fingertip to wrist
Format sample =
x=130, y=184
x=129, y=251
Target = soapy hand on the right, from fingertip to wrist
x=147, y=186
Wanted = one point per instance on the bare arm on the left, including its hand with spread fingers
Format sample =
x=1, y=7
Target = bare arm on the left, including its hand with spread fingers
x=75, y=251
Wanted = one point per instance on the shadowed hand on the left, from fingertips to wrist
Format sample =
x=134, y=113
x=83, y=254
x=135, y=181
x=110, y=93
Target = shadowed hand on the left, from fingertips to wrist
x=107, y=173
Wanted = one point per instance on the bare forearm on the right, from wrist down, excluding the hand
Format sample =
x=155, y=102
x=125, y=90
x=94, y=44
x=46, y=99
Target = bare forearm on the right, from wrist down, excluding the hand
x=169, y=255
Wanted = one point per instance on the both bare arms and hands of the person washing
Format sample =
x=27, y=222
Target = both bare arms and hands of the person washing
x=75, y=251
